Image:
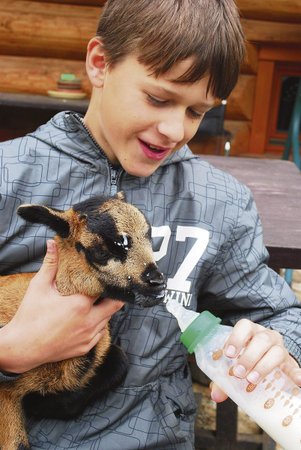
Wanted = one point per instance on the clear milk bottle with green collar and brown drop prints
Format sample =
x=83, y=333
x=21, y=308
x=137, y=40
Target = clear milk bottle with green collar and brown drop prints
x=274, y=404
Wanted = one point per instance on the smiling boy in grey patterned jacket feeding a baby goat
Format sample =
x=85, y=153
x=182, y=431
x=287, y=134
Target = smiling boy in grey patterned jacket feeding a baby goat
x=156, y=67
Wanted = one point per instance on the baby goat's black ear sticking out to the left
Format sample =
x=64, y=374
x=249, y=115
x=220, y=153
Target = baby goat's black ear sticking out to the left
x=46, y=216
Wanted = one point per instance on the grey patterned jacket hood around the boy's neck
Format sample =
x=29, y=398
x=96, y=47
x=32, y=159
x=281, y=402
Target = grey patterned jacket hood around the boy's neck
x=69, y=129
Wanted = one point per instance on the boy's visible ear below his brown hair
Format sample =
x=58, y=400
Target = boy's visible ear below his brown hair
x=96, y=62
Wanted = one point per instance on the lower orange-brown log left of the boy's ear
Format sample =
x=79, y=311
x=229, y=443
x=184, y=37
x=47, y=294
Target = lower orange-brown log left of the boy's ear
x=37, y=75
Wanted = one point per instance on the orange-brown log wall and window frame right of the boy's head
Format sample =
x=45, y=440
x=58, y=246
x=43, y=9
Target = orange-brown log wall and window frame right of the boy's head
x=273, y=33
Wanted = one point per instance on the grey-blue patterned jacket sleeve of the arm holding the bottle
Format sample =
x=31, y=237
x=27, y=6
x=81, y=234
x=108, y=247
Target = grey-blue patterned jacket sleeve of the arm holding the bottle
x=243, y=286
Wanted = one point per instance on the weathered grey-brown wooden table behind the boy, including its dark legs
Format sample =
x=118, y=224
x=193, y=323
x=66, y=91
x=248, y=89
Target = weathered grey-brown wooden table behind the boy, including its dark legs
x=276, y=186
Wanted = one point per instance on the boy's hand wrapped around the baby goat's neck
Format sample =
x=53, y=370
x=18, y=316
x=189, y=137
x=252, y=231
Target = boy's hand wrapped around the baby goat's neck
x=50, y=327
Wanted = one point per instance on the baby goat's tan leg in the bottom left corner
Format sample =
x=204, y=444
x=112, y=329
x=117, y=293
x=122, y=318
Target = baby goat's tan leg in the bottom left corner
x=13, y=435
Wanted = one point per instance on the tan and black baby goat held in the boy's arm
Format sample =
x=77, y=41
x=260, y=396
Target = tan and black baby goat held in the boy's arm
x=104, y=250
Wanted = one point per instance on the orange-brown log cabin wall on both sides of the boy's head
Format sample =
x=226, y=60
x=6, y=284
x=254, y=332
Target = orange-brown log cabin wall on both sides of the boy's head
x=39, y=39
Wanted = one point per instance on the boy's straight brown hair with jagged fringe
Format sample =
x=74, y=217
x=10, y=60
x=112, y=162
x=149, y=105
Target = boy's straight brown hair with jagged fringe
x=163, y=32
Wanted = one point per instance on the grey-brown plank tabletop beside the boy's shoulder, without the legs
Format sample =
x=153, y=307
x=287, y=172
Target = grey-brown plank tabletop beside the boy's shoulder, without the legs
x=276, y=186
